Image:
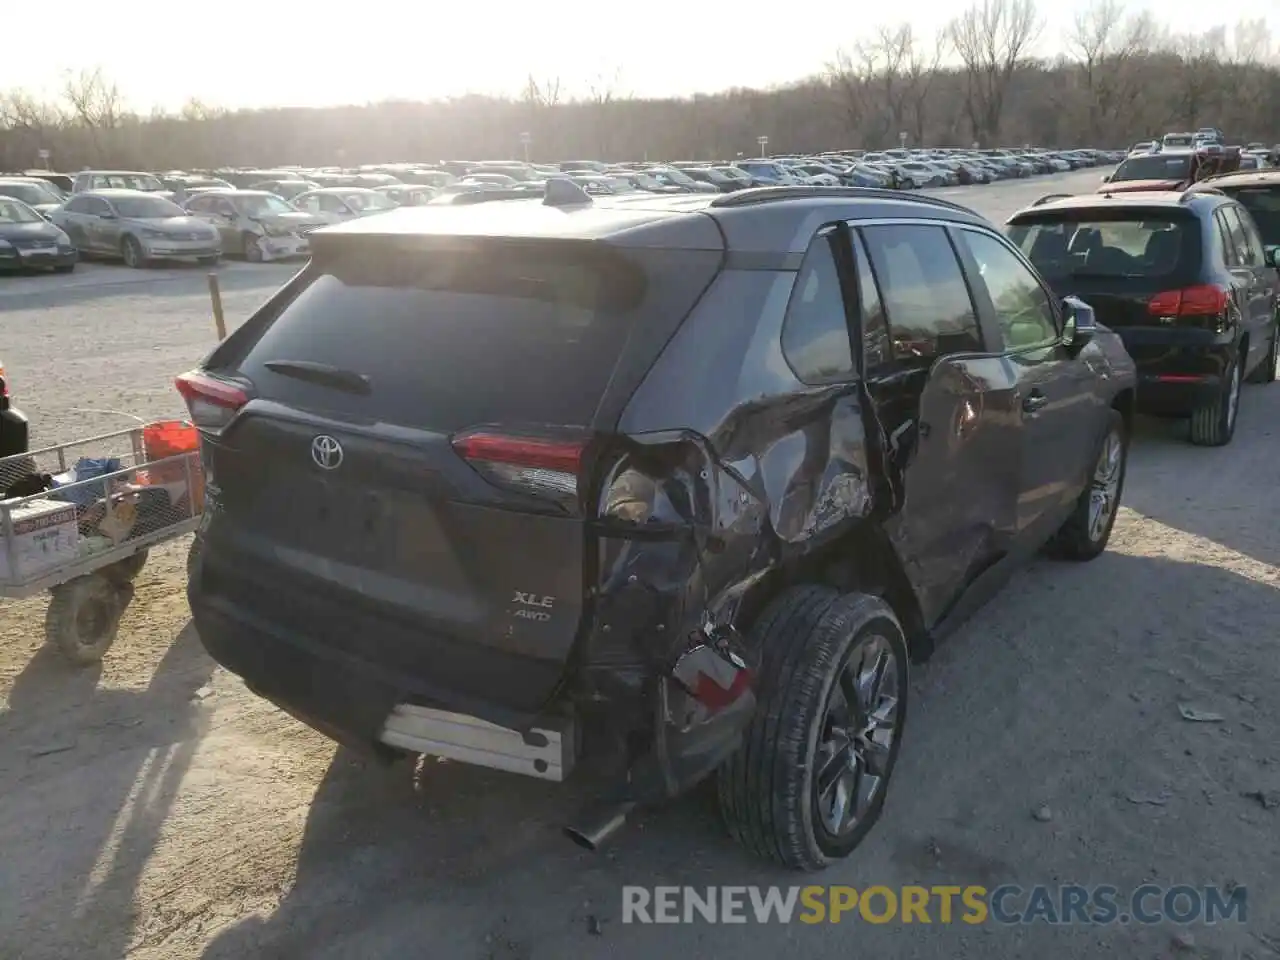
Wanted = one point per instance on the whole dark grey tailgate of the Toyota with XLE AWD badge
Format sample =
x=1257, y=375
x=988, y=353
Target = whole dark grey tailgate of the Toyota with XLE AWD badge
x=404, y=487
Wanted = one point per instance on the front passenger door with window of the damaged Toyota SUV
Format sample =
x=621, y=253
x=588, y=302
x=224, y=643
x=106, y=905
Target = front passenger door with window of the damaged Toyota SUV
x=1060, y=412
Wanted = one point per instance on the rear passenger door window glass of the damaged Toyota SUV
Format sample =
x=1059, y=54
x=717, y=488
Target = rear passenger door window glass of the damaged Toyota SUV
x=926, y=300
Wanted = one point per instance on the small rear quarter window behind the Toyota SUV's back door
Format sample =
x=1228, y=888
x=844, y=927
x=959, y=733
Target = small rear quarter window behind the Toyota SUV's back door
x=816, y=330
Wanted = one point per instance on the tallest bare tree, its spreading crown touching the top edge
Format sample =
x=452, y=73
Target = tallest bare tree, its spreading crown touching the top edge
x=993, y=38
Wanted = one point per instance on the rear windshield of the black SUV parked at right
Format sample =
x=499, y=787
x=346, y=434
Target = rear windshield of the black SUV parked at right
x=1142, y=244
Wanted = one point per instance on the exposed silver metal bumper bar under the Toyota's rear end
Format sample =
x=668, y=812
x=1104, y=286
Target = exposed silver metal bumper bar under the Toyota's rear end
x=546, y=752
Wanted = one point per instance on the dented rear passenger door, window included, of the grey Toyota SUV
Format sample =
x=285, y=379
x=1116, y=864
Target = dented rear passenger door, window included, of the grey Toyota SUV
x=945, y=403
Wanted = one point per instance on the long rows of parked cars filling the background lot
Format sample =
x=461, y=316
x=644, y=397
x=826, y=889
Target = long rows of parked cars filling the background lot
x=140, y=218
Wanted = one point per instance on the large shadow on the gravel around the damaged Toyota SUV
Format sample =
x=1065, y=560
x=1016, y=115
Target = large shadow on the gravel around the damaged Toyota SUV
x=1080, y=714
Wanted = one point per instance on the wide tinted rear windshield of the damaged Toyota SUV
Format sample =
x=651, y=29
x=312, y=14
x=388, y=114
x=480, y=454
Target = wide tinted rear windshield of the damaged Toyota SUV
x=497, y=335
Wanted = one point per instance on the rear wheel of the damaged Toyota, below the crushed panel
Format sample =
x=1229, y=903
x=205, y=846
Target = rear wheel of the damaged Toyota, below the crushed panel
x=811, y=778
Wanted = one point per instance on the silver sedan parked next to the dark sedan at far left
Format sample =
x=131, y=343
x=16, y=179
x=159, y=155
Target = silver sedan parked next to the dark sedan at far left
x=136, y=227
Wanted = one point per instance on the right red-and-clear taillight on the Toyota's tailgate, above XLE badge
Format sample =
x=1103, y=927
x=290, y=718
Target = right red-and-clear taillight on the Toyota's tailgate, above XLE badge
x=533, y=465
